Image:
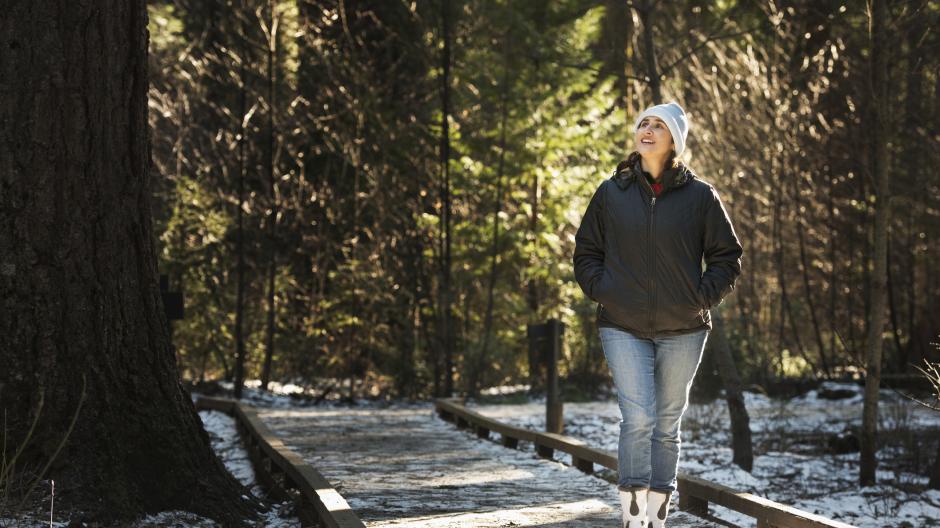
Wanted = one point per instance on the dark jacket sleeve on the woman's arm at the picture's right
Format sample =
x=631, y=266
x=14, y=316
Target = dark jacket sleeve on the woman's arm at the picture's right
x=722, y=253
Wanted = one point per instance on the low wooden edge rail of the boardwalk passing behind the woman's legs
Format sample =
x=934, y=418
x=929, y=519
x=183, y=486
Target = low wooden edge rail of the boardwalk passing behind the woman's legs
x=694, y=493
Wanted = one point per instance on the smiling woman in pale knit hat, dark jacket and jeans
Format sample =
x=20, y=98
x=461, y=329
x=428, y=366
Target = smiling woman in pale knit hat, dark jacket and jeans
x=639, y=254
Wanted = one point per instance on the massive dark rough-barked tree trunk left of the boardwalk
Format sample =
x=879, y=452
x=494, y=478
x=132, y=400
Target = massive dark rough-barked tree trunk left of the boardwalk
x=79, y=301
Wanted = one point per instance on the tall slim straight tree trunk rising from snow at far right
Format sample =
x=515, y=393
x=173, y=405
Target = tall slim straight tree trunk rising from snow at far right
x=879, y=101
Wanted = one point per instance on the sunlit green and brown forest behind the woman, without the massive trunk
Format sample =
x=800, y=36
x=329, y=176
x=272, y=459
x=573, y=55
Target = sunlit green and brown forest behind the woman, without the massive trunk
x=383, y=194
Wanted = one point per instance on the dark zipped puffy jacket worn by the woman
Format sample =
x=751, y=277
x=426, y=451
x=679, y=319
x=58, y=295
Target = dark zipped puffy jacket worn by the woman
x=640, y=257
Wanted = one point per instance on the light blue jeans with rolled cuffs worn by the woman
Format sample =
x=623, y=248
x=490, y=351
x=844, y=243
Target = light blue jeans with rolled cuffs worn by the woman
x=653, y=378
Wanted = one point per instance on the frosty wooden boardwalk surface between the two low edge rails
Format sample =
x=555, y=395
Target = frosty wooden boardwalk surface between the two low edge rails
x=407, y=467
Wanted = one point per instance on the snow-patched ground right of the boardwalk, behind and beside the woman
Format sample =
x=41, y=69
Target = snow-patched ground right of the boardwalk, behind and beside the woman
x=792, y=464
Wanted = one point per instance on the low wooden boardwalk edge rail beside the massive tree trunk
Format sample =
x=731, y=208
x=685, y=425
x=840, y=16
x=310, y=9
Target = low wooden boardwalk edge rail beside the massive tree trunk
x=279, y=469
